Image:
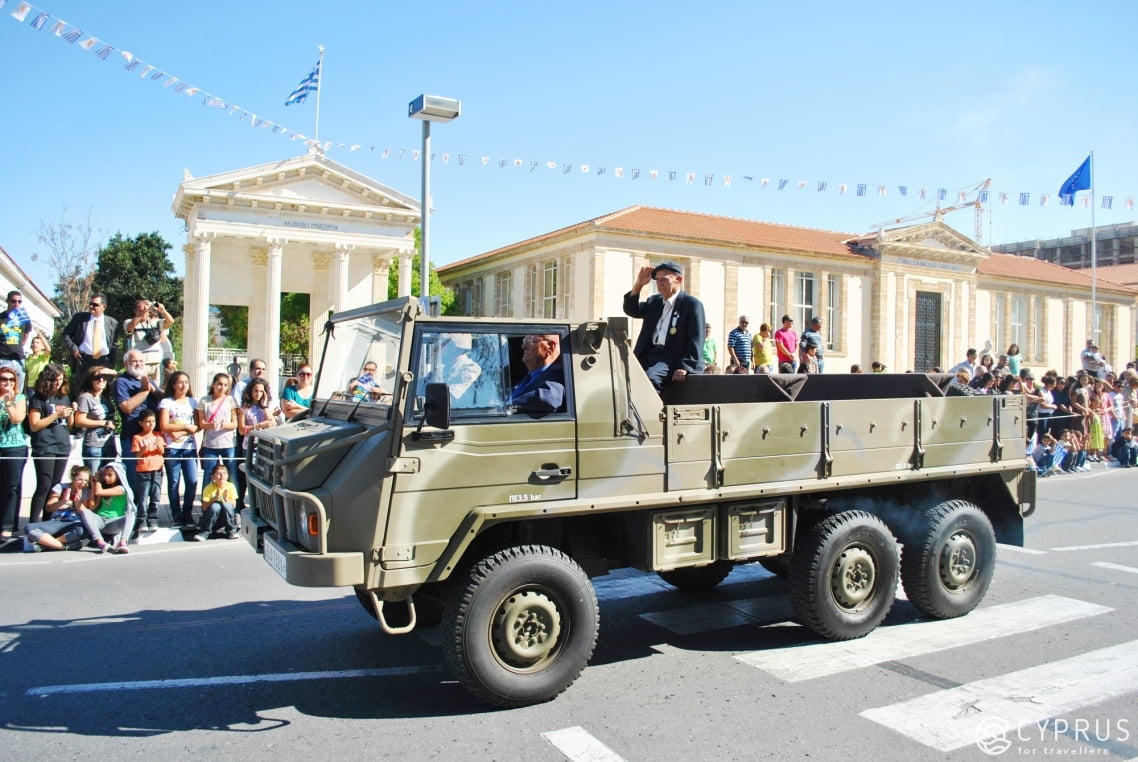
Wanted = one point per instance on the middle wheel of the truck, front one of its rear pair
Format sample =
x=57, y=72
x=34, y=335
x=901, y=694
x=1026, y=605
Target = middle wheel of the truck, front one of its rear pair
x=844, y=576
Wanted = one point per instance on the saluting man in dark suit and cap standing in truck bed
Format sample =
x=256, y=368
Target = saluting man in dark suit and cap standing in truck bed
x=671, y=342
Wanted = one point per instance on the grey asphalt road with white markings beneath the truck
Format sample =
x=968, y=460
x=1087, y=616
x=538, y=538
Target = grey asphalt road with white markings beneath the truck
x=201, y=651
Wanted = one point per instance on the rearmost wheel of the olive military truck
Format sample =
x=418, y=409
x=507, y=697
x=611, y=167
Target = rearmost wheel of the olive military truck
x=947, y=568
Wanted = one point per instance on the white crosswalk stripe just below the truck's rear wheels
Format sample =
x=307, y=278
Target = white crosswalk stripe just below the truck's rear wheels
x=902, y=642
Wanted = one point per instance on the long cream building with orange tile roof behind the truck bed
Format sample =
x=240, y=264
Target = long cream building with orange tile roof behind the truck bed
x=912, y=297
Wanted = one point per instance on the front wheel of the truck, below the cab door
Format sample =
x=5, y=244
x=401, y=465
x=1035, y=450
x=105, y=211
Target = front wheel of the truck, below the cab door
x=522, y=626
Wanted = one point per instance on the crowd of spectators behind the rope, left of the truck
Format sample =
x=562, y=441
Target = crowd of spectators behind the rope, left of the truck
x=138, y=426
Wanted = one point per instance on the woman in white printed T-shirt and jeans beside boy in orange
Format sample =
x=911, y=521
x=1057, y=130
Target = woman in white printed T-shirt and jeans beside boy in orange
x=178, y=425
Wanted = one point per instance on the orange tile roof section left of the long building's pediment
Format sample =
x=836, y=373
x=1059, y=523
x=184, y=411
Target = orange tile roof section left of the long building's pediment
x=691, y=226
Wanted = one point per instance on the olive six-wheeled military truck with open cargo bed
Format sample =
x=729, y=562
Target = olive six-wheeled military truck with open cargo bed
x=441, y=502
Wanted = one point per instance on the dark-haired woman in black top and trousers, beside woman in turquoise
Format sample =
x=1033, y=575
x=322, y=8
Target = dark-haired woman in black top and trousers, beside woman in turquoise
x=50, y=419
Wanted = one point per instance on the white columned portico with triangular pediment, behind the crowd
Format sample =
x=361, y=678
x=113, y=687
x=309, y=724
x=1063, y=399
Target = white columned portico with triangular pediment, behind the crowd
x=306, y=225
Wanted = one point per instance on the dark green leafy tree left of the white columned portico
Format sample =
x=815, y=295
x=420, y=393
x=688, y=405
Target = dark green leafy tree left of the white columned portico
x=133, y=269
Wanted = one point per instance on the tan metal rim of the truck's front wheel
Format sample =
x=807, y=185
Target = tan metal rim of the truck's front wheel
x=526, y=631
